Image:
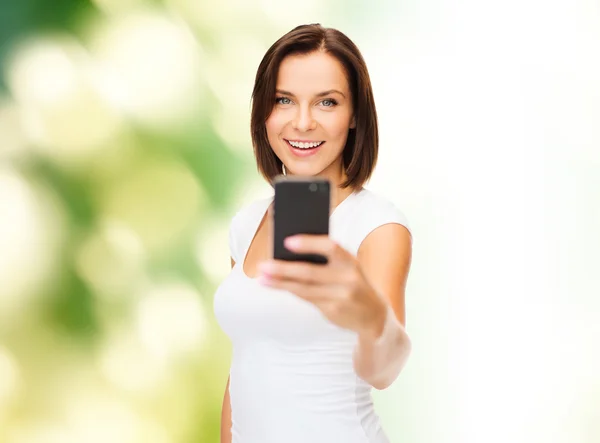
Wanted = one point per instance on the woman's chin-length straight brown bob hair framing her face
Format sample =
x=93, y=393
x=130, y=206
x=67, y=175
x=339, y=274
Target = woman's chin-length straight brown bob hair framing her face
x=360, y=152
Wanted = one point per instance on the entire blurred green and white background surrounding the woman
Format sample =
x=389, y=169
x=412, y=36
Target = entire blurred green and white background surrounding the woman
x=125, y=150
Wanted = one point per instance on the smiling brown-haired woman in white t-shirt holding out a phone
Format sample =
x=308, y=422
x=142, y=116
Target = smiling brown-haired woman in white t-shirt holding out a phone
x=311, y=341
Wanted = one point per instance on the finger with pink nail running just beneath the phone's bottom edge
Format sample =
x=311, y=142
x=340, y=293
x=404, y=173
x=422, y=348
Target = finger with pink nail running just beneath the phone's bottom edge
x=301, y=272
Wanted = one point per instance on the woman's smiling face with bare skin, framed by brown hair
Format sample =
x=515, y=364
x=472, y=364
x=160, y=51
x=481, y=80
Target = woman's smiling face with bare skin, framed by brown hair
x=309, y=124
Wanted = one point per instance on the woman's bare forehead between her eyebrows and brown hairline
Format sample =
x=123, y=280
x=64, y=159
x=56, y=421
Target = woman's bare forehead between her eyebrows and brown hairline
x=311, y=73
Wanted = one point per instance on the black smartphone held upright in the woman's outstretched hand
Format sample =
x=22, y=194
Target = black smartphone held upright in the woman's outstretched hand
x=301, y=207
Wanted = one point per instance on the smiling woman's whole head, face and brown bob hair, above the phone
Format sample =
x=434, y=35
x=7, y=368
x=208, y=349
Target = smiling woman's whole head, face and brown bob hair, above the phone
x=311, y=87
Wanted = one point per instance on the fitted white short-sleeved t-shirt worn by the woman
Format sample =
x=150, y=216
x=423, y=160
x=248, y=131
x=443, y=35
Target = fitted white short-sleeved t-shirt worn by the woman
x=292, y=377
